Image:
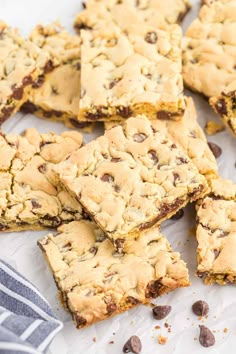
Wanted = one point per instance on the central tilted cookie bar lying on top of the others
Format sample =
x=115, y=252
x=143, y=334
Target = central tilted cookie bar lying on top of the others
x=131, y=178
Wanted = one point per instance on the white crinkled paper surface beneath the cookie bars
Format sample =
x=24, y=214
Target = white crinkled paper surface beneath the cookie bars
x=20, y=249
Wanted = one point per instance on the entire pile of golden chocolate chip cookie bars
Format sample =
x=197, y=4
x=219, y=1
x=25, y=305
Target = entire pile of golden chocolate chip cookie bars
x=108, y=198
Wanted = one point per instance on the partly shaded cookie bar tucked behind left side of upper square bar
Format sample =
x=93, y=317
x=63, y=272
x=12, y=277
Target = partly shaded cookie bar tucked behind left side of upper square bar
x=57, y=96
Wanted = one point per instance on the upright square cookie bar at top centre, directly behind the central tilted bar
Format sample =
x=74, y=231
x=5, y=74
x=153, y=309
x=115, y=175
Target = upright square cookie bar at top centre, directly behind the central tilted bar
x=123, y=75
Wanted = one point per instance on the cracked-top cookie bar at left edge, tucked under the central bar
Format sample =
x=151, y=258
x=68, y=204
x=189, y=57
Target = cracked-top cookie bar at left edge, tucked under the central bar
x=30, y=198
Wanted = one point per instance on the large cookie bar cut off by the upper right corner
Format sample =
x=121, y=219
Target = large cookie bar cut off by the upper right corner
x=209, y=57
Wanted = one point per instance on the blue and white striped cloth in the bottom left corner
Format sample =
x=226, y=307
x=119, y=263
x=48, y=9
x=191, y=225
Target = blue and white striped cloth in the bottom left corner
x=27, y=323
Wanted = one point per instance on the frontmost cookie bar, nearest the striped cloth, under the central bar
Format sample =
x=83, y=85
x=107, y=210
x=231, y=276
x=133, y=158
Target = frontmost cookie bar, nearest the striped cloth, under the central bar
x=95, y=282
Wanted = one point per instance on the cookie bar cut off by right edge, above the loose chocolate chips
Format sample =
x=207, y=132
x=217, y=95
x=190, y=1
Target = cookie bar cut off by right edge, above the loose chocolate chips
x=216, y=234
